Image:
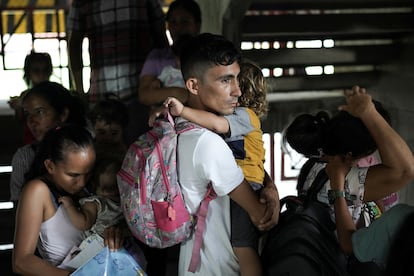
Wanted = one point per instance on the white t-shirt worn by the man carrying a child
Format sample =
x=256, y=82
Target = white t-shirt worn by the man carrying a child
x=203, y=156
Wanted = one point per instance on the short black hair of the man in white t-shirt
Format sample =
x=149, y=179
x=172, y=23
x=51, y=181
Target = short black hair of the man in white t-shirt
x=204, y=51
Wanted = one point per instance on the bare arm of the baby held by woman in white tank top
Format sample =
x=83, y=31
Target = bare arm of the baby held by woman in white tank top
x=82, y=218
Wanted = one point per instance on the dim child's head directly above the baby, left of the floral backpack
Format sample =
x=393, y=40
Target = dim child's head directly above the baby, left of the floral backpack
x=109, y=118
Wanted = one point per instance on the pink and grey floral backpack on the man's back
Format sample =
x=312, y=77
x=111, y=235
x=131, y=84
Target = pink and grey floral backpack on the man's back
x=150, y=194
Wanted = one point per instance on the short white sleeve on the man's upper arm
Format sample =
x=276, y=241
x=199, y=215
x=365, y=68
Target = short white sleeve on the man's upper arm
x=215, y=161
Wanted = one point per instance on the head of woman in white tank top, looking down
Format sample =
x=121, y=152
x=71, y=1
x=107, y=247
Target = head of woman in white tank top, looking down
x=66, y=156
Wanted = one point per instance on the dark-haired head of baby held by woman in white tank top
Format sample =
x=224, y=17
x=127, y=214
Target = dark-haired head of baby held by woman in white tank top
x=104, y=182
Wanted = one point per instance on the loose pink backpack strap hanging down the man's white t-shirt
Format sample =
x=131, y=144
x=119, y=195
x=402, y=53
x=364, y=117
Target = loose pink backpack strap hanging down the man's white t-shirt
x=201, y=223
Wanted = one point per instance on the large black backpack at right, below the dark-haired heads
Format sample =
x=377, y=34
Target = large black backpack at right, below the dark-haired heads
x=304, y=242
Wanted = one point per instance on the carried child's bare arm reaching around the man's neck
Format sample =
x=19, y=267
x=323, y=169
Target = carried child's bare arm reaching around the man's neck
x=206, y=119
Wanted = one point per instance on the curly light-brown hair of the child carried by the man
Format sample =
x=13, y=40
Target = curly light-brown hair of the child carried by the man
x=253, y=87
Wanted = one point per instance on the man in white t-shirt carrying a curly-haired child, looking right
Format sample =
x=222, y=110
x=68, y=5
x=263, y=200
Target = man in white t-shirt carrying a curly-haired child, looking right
x=210, y=65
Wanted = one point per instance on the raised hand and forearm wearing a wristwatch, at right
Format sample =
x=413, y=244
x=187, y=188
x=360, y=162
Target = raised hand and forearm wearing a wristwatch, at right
x=337, y=170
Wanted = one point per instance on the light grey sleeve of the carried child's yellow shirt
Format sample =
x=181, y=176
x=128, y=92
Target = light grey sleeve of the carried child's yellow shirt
x=239, y=122
